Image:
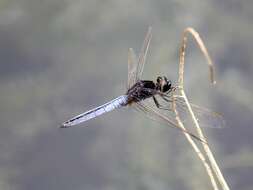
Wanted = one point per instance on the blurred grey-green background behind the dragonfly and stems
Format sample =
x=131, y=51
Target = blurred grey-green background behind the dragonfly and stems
x=62, y=57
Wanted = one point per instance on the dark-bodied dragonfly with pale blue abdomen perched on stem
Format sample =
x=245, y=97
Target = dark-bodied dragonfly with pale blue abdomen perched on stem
x=138, y=91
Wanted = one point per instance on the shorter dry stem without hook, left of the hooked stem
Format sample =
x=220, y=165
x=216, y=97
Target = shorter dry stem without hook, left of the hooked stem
x=195, y=147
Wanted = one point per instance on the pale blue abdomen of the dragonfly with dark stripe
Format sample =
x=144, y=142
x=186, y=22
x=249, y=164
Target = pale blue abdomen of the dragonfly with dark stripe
x=107, y=107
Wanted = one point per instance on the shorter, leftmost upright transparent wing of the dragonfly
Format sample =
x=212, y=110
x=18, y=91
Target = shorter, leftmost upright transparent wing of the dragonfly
x=132, y=68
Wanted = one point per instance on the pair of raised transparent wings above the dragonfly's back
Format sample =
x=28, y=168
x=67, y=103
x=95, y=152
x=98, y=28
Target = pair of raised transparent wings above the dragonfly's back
x=135, y=68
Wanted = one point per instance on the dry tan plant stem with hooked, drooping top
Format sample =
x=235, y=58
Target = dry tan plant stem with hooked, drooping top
x=207, y=150
